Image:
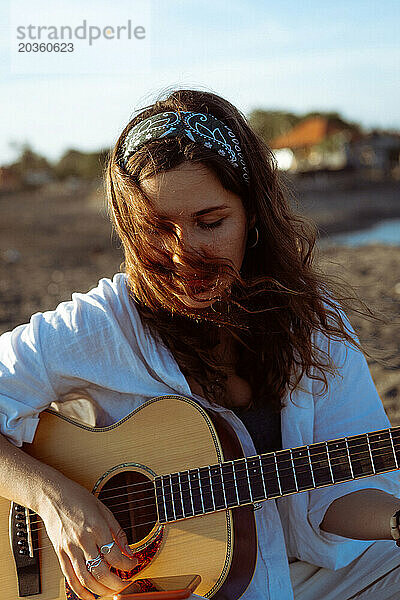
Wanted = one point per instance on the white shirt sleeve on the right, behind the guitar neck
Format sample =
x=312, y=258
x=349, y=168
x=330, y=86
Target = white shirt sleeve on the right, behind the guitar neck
x=350, y=406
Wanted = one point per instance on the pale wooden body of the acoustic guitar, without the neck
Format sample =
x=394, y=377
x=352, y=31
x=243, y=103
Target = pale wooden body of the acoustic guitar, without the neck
x=165, y=435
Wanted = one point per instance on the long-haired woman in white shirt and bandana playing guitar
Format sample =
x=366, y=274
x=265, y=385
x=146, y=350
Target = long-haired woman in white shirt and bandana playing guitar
x=219, y=302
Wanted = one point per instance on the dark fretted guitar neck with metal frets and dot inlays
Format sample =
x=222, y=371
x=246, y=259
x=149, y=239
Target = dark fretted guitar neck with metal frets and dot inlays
x=276, y=474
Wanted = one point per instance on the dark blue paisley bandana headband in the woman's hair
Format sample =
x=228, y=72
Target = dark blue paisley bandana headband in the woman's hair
x=198, y=127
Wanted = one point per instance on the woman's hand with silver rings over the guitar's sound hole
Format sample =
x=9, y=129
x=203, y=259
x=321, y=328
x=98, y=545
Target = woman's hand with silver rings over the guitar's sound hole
x=78, y=524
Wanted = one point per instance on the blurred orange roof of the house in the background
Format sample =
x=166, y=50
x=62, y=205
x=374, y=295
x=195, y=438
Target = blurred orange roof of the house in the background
x=309, y=132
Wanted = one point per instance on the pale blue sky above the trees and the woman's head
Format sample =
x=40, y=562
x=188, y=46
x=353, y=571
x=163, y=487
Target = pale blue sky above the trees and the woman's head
x=291, y=55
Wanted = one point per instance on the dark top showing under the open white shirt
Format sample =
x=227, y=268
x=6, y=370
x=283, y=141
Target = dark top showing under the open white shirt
x=263, y=425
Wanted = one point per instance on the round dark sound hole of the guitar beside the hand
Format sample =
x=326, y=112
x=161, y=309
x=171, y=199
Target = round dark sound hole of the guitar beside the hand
x=131, y=498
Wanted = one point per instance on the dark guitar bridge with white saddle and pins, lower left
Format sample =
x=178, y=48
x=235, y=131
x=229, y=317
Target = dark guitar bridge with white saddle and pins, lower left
x=24, y=544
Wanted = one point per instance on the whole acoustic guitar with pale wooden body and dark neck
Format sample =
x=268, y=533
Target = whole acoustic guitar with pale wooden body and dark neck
x=176, y=479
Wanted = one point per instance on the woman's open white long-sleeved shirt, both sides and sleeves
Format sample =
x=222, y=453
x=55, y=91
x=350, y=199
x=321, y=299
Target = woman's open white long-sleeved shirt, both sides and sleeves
x=96, y=341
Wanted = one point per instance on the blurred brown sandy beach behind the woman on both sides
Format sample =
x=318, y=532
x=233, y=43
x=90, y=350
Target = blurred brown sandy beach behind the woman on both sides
x=54, y=242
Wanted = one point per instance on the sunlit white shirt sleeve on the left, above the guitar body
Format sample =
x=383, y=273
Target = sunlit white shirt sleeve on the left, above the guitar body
x=57, y=351
